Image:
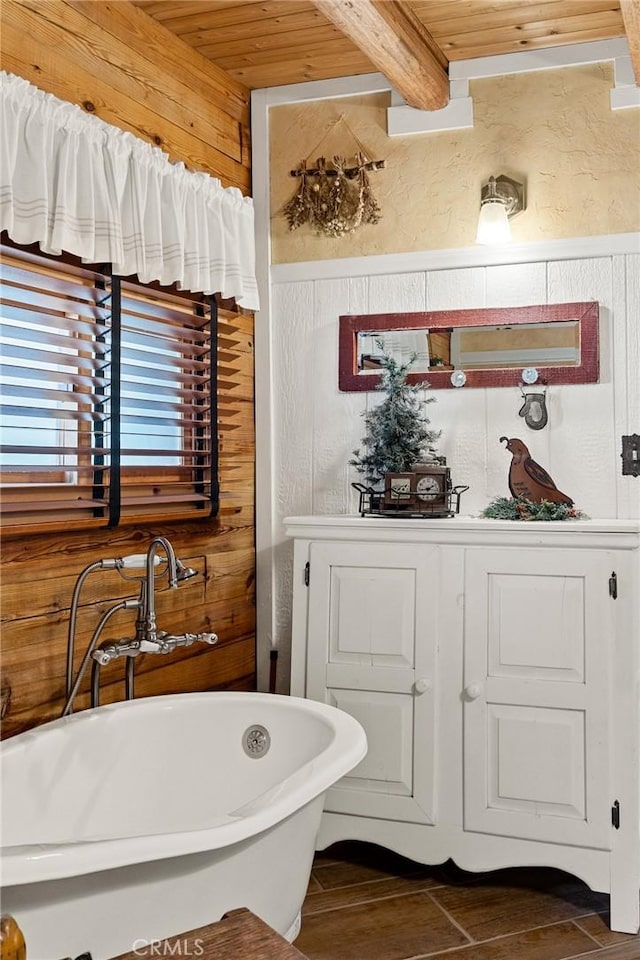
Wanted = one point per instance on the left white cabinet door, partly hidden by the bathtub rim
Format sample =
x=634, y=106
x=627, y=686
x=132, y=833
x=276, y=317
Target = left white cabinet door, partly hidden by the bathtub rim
x=373, y=612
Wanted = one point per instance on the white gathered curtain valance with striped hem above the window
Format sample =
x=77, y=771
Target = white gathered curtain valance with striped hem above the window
x=71, y=182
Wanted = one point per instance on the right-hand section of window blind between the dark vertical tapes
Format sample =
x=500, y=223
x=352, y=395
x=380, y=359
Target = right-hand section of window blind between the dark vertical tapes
x=167, y=404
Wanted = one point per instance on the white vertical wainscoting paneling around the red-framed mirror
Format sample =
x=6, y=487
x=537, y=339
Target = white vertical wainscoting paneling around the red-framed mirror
x=313, y=427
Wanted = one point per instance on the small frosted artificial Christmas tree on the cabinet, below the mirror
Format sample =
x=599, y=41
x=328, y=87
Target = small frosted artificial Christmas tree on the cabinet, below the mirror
x=397, y=430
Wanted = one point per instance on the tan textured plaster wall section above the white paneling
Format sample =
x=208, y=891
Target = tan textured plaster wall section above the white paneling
x=554, y=130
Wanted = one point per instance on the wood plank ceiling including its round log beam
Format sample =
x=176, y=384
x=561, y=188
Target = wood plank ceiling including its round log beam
x=275, y=42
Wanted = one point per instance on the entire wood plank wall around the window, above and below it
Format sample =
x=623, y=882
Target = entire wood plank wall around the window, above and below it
x=114, y=60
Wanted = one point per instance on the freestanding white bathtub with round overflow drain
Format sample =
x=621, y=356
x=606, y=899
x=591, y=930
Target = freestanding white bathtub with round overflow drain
x=145, y=819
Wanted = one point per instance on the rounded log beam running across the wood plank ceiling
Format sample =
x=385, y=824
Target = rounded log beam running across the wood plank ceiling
x=398, y=45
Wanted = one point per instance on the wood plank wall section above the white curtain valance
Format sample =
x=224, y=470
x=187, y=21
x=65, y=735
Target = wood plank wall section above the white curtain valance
x=123, y=66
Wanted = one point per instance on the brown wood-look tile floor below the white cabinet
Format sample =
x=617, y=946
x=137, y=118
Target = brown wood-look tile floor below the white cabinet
x=366, y=903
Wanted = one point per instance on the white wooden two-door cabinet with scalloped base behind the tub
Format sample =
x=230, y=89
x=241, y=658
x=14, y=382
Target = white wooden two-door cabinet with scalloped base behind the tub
x=495, y=669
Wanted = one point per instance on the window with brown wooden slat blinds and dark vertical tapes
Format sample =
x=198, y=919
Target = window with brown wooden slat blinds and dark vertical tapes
x=108, y=409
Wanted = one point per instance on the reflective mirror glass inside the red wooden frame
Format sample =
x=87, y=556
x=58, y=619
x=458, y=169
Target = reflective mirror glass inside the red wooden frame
x=498, y=346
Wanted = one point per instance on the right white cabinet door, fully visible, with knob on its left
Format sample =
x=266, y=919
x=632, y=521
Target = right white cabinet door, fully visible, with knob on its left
x=536, y=725
